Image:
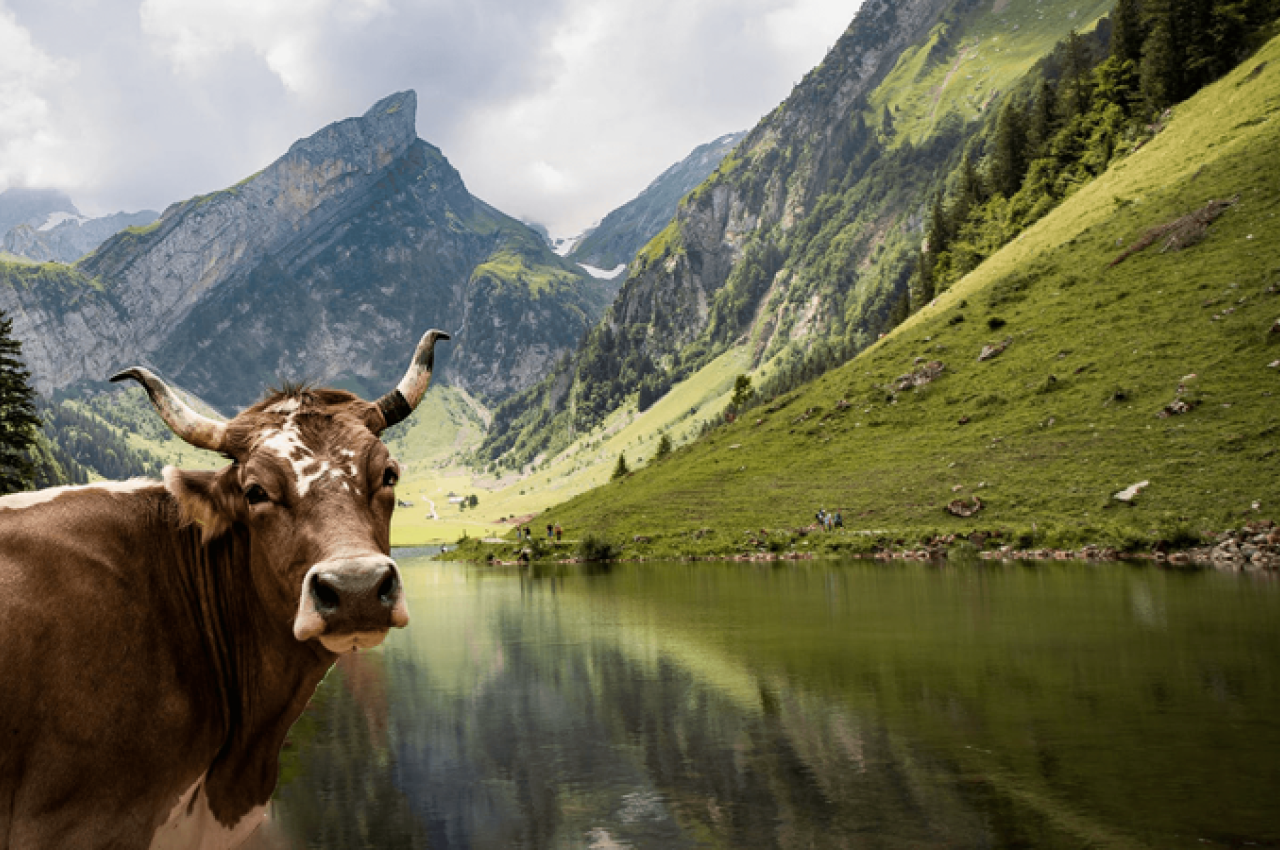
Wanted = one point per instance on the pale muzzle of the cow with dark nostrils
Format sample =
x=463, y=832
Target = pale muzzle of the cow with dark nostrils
x=351, y=604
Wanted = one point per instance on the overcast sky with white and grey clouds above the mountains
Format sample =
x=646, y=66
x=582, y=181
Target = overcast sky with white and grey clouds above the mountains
x=554, y=111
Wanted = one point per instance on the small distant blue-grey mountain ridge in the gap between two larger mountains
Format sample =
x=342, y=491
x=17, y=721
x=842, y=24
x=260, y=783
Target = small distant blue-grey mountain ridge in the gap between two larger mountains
x=627, y=230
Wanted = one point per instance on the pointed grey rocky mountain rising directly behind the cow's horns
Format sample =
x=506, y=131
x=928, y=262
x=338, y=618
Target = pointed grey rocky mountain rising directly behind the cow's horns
x=327, y=266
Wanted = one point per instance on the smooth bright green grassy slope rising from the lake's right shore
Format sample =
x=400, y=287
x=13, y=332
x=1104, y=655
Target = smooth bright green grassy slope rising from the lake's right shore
x=1068, y=414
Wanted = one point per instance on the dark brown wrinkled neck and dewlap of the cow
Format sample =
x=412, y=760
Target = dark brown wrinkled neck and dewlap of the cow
x=264, y=677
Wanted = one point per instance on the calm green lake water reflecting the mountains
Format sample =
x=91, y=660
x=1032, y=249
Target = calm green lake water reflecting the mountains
x=802, y=705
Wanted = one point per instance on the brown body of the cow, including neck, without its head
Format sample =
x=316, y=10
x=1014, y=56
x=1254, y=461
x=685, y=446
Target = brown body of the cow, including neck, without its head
x=164, y=686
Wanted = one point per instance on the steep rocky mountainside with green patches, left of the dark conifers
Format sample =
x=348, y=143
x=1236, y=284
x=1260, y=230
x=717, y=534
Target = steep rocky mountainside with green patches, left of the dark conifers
x=808, y=234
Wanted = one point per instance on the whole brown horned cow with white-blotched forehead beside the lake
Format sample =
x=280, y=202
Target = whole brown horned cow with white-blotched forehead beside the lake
x=158, y=639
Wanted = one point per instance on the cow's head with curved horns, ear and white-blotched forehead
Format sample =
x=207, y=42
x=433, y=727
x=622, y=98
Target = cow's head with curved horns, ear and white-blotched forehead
x=314, y=487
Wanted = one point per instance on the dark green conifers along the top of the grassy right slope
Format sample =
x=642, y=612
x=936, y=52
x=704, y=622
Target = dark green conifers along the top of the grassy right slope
x=1098, y=98
